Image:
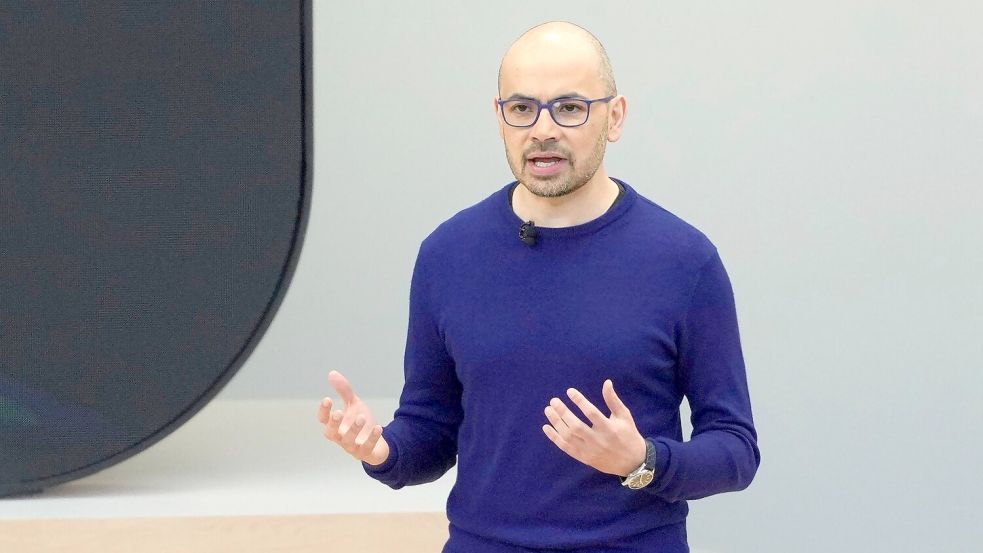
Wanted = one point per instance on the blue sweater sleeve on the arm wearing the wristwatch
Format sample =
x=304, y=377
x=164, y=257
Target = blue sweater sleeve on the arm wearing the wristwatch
x=722, y=454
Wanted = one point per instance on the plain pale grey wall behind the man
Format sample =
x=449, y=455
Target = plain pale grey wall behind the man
x=831, y=150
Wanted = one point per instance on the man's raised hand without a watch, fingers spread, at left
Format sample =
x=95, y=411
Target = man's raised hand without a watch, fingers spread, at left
x=354, y=429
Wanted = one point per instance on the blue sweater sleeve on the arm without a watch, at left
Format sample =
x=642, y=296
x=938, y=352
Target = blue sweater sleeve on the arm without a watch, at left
x=423, y=434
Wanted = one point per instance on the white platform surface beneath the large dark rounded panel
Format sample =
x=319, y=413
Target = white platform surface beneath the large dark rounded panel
x=236, y=457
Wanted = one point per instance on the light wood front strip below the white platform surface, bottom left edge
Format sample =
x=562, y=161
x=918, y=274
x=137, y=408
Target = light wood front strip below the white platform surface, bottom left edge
x=362, y=533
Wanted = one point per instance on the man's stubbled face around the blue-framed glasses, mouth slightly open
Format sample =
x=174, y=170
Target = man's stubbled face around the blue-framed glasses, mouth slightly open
x=546, y=74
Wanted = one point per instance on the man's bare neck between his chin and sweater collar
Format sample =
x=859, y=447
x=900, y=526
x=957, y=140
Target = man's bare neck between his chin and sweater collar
x=584, y=204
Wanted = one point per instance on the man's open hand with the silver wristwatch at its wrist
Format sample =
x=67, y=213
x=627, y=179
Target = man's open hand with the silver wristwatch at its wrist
x=612, y=444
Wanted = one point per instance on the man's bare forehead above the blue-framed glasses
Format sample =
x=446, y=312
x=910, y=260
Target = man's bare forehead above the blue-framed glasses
x=550, y=70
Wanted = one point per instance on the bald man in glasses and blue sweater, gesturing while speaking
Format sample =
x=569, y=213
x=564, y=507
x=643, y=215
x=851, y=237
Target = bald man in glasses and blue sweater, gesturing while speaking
x=550, y=366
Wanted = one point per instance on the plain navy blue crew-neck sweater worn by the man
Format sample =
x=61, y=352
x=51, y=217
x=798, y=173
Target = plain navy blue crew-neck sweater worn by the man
x=497, y=328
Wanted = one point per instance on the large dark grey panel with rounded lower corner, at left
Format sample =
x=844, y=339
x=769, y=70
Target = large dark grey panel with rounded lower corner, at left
x=155, y=184
